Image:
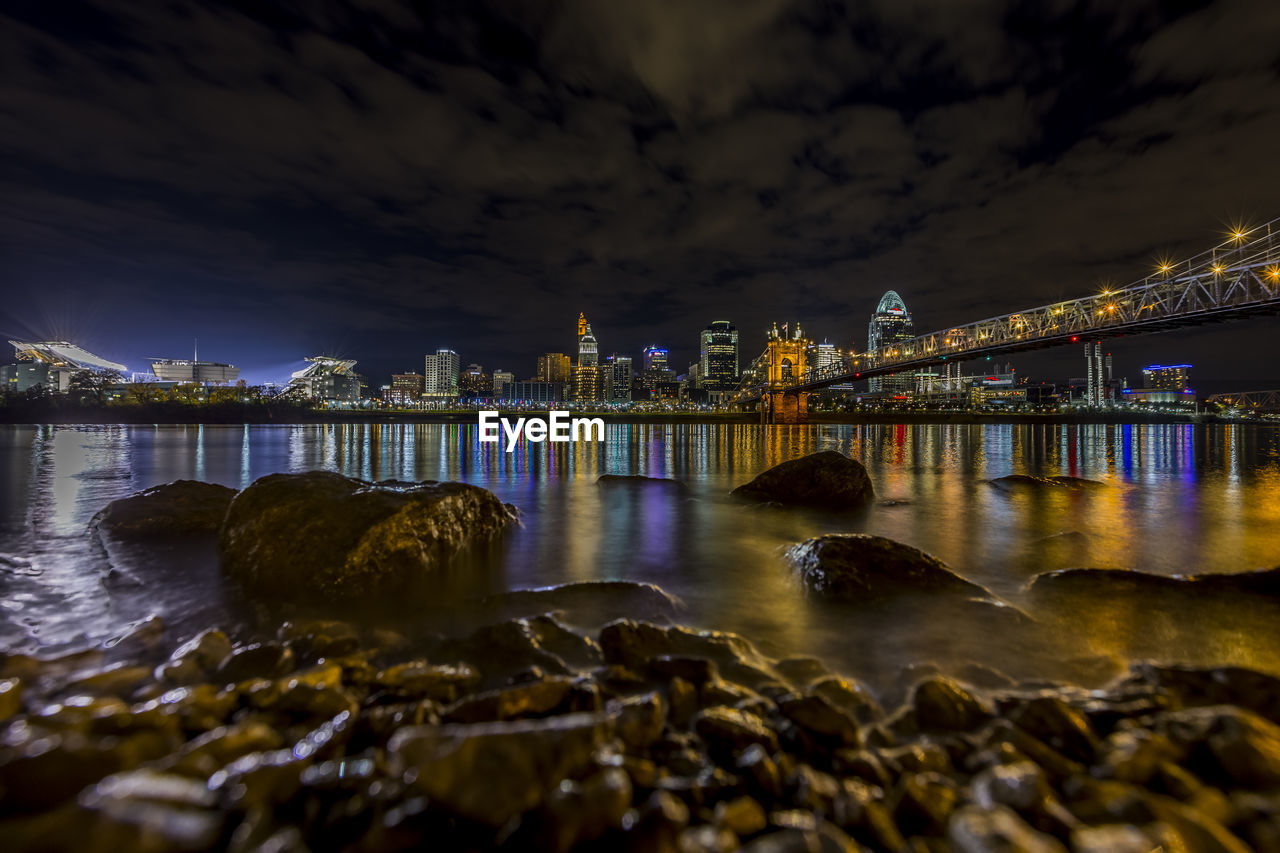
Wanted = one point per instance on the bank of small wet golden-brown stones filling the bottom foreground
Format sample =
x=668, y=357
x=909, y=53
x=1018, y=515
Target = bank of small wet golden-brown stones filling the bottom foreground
x=529, y=735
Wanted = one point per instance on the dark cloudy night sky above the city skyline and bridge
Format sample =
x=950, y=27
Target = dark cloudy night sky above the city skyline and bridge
x=378, y=180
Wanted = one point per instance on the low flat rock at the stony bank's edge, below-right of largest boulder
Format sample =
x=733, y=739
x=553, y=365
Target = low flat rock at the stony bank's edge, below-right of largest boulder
x=592, y=603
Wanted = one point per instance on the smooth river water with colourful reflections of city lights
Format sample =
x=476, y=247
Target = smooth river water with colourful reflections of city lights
x=1177, y=500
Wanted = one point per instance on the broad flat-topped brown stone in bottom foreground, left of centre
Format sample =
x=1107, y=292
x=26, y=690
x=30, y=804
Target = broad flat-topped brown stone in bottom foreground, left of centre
x=495, y=772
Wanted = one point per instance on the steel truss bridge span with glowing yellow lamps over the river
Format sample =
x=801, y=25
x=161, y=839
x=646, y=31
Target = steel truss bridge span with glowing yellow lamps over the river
x=1232, y=281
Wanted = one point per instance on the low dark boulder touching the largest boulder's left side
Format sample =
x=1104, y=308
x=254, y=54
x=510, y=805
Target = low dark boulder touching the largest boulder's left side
x=182, y=508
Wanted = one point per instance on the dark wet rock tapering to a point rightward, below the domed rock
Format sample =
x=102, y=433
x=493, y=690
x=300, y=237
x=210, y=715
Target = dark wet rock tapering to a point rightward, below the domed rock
x=861, y=568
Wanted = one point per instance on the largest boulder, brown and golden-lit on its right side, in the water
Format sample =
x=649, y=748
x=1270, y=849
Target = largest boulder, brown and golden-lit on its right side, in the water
x=326, y=536
